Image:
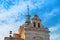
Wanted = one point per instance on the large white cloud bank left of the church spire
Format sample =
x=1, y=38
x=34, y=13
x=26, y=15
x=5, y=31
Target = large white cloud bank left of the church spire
x=6, y=16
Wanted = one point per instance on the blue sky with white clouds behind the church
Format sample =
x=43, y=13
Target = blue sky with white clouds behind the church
x=12, y=15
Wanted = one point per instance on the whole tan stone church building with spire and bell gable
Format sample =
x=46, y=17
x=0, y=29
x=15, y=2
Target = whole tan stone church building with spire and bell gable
x=32, y=29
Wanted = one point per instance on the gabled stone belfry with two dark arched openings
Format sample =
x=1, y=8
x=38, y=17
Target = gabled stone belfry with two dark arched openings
x=36, y=22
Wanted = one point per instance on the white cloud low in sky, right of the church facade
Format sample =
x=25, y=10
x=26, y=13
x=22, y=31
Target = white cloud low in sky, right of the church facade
x=54, y=35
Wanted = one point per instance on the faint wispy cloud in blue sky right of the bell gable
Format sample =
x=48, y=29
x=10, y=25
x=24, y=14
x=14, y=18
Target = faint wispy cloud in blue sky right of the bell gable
x=47, y=16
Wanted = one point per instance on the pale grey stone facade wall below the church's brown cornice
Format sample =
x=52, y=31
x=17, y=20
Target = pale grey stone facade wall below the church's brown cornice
x=30, y=35
